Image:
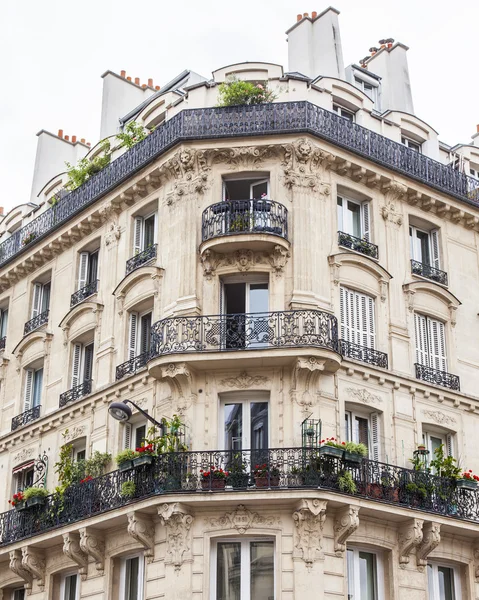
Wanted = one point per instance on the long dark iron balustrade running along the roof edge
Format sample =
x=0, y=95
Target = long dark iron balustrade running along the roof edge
x=241, y=121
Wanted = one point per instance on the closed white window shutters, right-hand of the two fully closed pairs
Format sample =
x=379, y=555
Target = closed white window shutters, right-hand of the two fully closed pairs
x=430, y=342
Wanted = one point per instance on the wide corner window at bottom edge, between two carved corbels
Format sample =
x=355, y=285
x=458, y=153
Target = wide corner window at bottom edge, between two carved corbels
x=243, y=570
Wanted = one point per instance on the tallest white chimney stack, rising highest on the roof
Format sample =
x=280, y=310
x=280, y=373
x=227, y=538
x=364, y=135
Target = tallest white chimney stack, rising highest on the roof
x=314, y=45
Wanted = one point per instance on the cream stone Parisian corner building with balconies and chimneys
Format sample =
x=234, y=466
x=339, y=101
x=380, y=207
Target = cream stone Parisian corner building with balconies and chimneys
x=274, y=275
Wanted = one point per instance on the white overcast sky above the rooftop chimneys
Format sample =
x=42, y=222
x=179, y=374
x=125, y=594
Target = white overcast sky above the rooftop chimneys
x=53, y=53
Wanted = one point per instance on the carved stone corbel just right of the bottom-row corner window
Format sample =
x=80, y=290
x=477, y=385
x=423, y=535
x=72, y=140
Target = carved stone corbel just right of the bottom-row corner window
x=309, y=518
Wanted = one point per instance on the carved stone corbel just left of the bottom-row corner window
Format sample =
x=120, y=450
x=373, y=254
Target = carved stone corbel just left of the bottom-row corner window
x=178, y=522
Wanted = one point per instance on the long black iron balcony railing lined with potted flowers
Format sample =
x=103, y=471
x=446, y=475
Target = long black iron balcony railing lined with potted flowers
x=286, y=470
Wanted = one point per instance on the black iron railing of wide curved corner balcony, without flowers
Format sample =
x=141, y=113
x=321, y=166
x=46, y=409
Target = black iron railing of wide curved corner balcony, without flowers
x=253, y=331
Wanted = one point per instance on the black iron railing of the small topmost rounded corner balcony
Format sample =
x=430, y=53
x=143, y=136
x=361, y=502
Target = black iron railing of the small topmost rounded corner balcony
x=233, y=217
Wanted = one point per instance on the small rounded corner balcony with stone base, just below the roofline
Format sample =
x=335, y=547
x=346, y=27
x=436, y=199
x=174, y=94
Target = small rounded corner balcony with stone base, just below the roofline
x=233, y=223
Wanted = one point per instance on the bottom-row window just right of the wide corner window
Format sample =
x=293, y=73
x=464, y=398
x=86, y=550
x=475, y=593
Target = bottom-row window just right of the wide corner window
x=365, y=578
